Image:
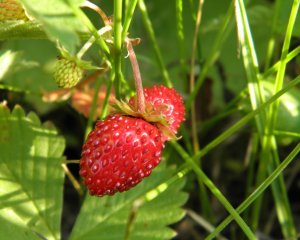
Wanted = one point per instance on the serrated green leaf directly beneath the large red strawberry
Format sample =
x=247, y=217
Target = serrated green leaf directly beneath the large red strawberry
x=141, y=213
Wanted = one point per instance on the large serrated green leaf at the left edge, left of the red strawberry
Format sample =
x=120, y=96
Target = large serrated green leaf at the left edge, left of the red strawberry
x=31, y=177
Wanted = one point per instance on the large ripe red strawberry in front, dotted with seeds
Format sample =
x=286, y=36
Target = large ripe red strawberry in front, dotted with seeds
x=119, y=153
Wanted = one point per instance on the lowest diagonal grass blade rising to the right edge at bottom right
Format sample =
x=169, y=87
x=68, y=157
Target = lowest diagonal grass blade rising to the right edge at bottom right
x=258, y=191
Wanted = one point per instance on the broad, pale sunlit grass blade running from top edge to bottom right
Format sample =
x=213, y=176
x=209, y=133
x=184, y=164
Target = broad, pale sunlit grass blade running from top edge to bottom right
x=256, y=96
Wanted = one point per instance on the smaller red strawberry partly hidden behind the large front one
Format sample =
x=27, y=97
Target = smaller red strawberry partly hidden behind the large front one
x=165, y=101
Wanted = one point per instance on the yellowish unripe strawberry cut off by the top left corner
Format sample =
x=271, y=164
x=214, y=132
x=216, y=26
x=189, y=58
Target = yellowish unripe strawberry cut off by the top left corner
x=11, y=10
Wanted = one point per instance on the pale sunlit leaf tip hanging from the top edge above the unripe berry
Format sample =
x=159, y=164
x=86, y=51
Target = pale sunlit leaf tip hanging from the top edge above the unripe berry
x=58, y=20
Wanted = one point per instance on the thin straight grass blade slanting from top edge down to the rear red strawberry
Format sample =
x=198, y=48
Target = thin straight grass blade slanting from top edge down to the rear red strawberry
x=159, y=59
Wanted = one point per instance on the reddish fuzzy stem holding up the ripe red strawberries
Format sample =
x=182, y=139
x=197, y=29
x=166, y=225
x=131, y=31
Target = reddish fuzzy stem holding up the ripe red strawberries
x=140, y=104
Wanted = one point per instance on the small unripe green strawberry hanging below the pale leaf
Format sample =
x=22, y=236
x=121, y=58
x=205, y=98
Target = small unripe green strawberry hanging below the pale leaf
x=67, y=73
